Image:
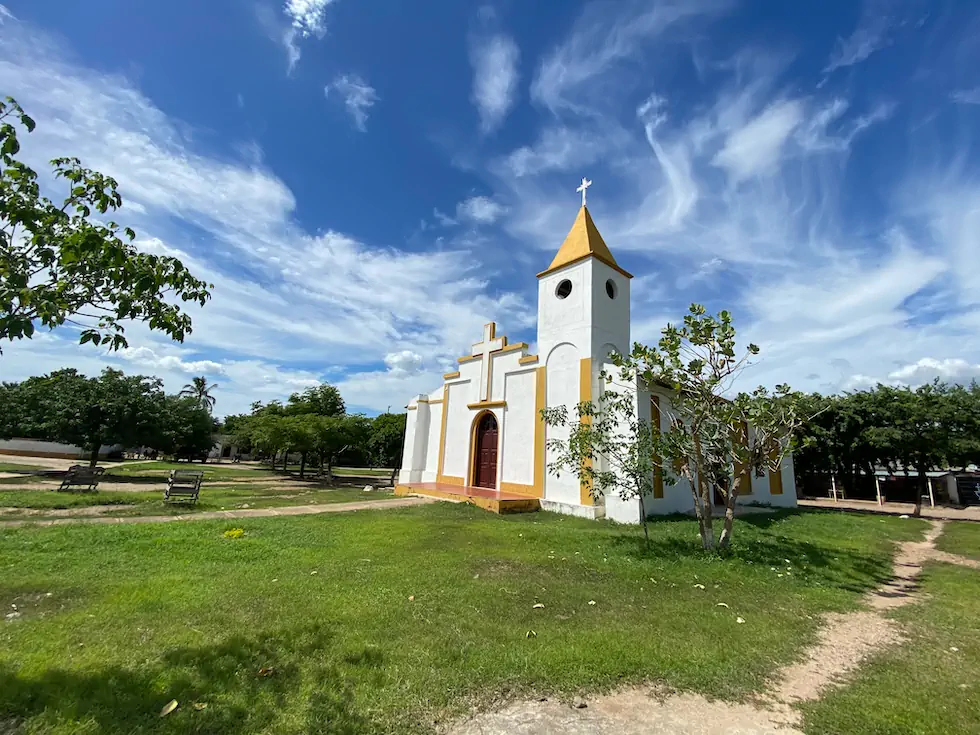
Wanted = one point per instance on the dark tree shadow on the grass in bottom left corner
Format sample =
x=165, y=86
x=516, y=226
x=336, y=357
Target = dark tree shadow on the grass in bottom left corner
x=282, y=682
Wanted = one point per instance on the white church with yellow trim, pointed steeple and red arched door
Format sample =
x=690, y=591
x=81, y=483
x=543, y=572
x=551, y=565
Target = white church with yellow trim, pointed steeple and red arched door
x=480, y=437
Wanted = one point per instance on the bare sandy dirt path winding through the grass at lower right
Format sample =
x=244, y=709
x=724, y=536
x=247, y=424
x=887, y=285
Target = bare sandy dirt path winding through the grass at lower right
x=843, y=643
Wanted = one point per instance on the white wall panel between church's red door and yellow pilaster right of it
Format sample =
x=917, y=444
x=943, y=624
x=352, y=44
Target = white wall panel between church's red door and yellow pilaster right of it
x=517, y=451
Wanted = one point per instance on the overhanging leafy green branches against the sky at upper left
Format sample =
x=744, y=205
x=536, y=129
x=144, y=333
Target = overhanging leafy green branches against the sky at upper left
x=57, y=265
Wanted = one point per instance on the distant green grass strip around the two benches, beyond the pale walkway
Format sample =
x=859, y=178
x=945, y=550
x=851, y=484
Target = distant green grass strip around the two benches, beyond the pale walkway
x=150, y=502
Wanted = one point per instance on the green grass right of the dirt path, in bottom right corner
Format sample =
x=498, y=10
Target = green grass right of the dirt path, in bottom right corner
x=924, y=686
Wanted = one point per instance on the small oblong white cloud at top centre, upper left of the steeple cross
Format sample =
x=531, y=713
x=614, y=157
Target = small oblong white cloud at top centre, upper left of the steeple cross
x=495, y=78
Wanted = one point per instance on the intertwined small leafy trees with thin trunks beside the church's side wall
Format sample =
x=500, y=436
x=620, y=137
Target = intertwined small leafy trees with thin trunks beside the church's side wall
x=711, y=441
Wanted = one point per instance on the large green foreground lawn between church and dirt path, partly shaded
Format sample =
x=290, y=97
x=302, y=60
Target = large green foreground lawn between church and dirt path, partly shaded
x=397, y=620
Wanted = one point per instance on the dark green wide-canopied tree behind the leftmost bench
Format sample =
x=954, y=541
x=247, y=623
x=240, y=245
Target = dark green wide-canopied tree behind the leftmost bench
x=65, y=406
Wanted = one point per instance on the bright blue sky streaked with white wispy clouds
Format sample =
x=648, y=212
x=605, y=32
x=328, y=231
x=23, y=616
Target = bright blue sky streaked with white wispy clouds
x=367, y=184
